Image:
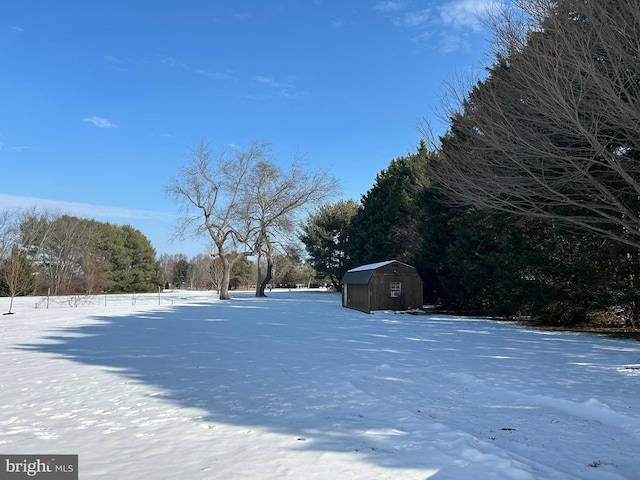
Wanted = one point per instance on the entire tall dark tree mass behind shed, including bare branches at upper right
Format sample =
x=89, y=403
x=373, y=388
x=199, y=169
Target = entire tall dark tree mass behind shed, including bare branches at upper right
x=529, y=204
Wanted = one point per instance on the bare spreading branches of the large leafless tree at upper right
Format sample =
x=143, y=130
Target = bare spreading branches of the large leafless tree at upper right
x=553, y=131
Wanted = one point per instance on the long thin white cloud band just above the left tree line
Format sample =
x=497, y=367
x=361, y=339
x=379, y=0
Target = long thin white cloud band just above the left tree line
x=84, y=210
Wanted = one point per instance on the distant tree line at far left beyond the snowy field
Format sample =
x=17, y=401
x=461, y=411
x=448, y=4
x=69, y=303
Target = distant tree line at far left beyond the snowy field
x=57, y=254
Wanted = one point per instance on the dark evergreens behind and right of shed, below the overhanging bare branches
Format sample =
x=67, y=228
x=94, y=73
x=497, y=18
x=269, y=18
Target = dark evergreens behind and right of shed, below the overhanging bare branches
x=472, y=260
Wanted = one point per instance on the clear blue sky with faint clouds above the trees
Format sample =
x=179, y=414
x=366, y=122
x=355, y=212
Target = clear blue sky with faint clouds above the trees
x=100, y=100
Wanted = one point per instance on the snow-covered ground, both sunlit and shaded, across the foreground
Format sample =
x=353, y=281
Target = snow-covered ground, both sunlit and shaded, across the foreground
x=182, y=386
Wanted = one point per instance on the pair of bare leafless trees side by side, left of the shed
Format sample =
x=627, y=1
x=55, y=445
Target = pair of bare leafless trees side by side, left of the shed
x=245, y=203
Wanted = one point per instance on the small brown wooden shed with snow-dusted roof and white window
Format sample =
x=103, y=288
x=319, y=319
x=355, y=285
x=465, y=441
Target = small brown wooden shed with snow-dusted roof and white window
x=390, y=285
